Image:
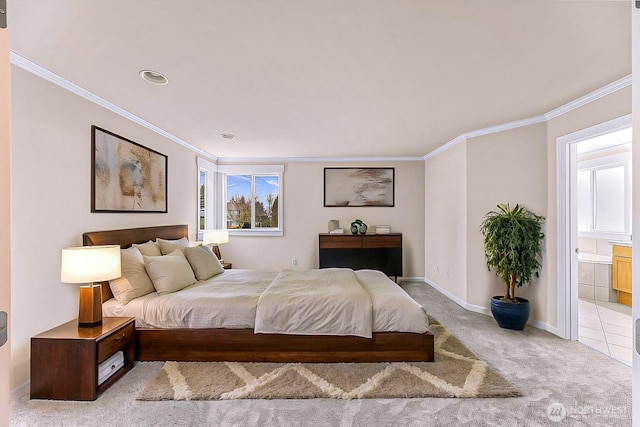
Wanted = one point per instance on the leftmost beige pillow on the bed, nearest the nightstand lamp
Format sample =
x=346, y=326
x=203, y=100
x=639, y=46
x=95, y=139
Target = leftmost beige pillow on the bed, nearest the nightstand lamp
x=134, y=281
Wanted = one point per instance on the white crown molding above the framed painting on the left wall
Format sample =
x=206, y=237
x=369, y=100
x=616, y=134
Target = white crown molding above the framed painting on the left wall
x=40, y=71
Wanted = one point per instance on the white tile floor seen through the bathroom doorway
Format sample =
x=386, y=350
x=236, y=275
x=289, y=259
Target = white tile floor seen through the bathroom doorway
x=606, y=327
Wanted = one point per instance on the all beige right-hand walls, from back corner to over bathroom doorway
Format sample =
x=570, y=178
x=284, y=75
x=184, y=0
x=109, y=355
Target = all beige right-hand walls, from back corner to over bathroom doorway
x=515, y=166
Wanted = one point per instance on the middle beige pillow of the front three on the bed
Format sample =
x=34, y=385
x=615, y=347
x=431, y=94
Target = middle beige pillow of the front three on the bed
x=169, y=273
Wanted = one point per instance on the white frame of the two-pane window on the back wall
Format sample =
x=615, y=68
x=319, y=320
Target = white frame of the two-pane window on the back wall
x=253, y=170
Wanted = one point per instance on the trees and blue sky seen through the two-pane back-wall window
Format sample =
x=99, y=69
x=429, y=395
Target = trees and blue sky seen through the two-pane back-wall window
x=252, y=201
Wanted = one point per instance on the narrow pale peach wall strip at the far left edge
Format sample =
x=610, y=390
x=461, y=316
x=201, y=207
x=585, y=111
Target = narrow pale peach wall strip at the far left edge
x=5, y=218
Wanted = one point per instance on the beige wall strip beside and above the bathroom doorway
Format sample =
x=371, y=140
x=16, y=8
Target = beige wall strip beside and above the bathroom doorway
x=609, y=107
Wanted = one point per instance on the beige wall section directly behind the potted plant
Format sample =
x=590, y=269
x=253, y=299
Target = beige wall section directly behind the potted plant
x=506, y=167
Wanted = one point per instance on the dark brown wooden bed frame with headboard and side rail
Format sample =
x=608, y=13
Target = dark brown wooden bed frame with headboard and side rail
x=243, y=344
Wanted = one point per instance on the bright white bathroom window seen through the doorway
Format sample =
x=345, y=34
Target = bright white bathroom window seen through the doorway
x=604, y=196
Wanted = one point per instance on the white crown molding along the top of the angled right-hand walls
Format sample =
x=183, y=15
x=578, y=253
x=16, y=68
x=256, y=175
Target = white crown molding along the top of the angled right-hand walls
x=570, y=106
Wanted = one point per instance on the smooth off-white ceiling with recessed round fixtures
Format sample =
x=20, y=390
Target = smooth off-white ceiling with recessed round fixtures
x=328, y=78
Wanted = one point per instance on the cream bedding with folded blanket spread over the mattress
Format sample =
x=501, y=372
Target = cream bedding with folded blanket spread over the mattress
x=230, y=300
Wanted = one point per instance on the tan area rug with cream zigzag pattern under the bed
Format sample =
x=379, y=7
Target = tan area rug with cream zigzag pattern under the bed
x=456, y=372
